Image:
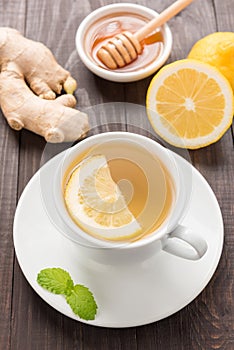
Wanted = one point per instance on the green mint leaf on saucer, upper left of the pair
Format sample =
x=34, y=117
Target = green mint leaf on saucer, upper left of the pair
x=55, y=280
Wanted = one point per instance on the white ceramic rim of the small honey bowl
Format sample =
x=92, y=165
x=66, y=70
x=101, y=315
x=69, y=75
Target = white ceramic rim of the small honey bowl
x=124, y=76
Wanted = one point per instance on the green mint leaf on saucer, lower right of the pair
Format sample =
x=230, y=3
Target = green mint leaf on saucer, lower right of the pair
x=82, y=302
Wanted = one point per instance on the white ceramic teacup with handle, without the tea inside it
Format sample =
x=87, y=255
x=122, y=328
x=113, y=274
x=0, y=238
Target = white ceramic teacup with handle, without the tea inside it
x=170, y=236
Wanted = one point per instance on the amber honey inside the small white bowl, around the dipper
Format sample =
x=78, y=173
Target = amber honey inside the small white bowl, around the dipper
x=109, y=26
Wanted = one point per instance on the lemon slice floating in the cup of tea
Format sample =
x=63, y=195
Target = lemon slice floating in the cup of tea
x=96, y=203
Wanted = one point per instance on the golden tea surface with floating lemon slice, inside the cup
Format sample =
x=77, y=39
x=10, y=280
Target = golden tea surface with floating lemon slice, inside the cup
x=118, y=191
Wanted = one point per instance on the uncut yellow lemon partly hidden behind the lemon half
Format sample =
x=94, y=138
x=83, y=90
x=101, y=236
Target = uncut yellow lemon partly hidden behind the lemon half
x=217, y=49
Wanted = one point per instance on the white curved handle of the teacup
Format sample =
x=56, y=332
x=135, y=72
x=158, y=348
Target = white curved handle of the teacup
x=194, y=248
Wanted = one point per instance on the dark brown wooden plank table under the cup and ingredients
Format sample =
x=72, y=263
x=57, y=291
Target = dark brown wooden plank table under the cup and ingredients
x=26, y=321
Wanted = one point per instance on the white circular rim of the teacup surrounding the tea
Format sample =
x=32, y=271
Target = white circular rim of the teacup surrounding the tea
x=84, y=145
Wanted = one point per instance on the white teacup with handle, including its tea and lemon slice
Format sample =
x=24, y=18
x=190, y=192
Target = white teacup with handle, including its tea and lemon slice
x=121, y=190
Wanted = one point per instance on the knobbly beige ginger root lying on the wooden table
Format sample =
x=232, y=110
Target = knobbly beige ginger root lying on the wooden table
x=30, y=78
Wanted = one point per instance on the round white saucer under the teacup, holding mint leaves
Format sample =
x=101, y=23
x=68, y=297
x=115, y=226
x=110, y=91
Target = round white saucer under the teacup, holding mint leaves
x=126, y=295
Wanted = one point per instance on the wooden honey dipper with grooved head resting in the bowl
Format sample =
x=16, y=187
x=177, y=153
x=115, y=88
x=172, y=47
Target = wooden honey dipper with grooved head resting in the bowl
x=125, y=47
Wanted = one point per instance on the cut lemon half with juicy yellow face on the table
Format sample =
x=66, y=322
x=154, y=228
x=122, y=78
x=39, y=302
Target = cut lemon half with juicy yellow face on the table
x=190, y=104
